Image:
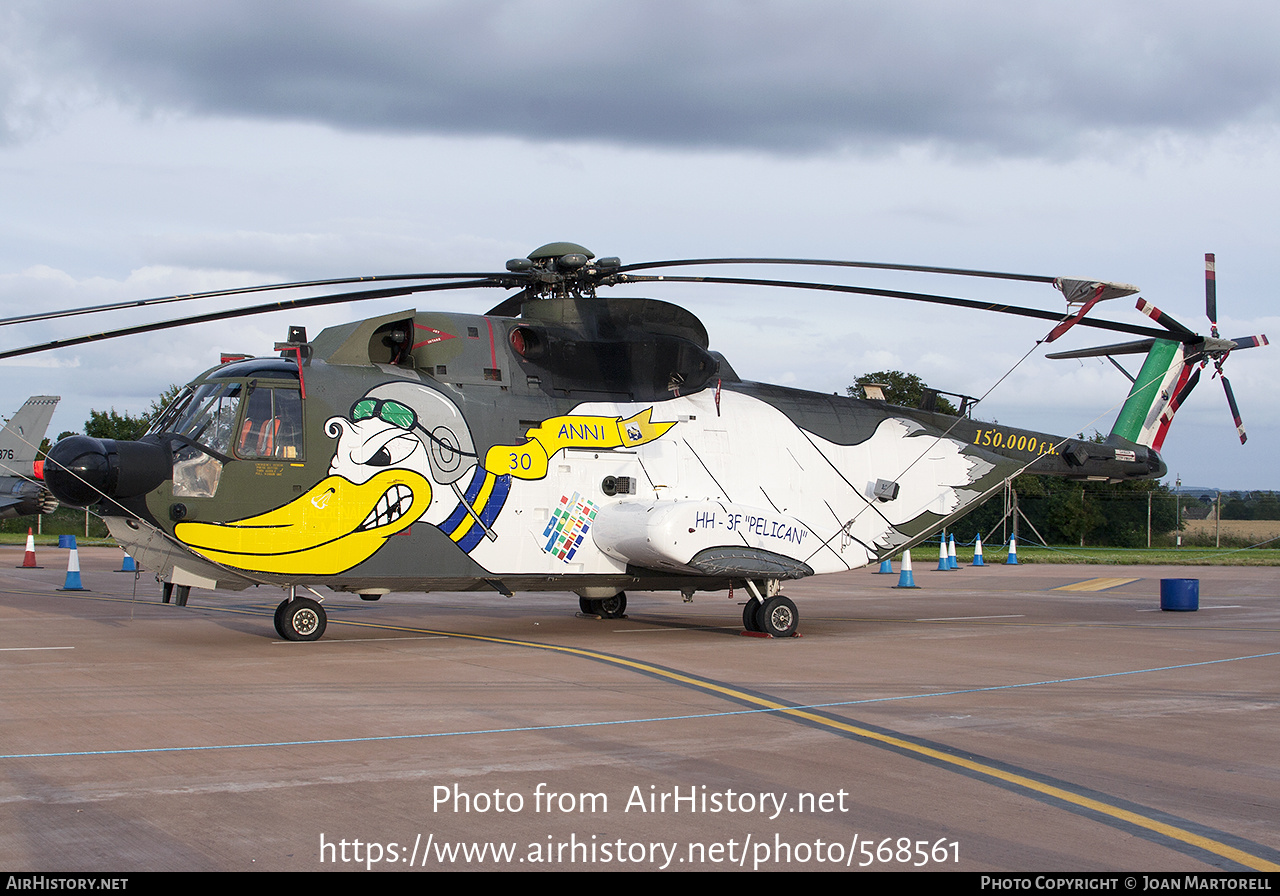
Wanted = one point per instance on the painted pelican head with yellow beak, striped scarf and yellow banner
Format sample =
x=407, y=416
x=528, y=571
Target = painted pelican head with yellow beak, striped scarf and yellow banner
x=396, y=451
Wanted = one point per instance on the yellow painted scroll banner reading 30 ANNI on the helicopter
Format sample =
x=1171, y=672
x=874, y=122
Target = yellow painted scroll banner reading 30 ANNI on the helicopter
x=574, y=431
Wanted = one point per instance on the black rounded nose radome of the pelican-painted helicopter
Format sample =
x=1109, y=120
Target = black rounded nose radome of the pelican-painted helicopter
x=83, y=470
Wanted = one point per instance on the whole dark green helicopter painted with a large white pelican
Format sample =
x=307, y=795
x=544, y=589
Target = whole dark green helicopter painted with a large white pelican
x=569, y=442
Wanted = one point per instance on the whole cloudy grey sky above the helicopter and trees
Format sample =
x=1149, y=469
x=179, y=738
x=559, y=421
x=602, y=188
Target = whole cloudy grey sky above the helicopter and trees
x=152, y=148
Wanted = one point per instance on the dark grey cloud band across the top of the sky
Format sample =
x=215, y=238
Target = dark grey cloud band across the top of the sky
x=775, y=77
